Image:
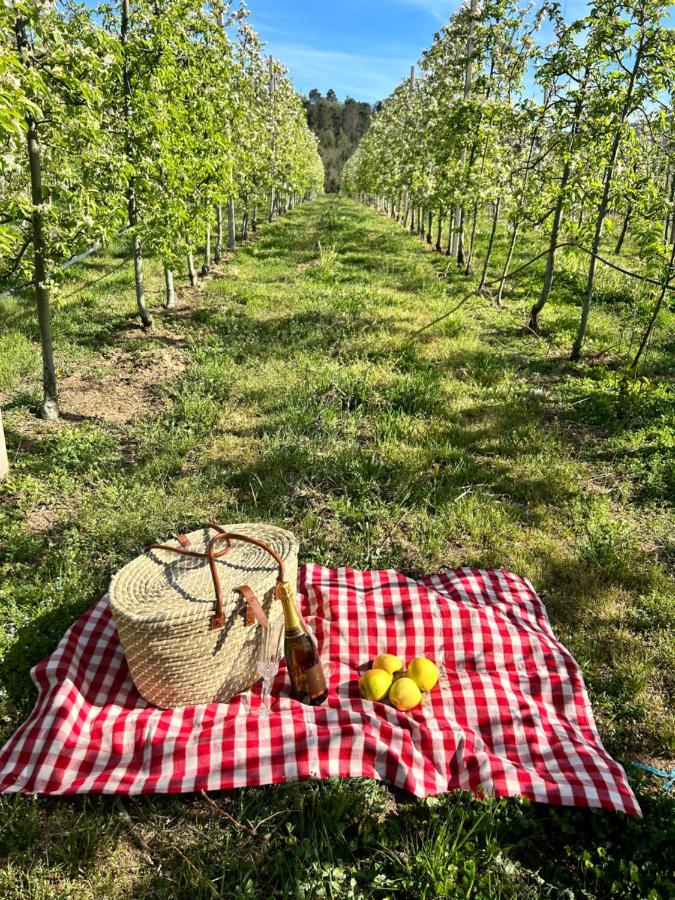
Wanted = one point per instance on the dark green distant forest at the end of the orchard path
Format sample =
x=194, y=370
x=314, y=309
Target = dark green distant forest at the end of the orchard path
x=339, y=128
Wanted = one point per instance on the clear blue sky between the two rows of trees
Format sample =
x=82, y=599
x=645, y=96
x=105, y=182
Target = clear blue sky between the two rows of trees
x=360, y=48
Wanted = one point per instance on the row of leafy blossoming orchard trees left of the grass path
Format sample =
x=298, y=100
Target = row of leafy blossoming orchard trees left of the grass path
x=159, y=118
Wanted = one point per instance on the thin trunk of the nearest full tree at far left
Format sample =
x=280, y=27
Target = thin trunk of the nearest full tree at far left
x=50, y=400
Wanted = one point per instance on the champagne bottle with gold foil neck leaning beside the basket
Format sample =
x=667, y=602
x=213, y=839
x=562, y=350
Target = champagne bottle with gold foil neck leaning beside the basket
x=302, y=657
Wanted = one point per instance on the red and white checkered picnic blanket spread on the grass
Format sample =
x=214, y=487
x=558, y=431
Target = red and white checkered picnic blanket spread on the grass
x=510, y=715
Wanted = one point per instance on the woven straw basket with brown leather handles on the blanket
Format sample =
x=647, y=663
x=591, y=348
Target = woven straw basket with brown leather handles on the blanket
x=191, y=614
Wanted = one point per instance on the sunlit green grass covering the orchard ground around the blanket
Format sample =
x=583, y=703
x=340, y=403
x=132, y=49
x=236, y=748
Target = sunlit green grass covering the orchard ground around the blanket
x=303, y=398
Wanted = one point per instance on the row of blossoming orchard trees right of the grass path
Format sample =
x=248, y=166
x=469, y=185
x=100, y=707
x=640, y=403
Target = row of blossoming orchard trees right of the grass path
x=573, y=140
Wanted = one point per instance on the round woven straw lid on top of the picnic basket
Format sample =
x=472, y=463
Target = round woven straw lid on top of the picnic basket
x=161, y=586
